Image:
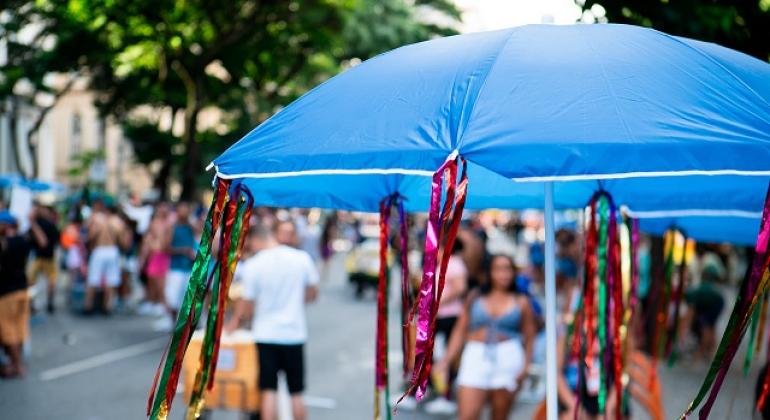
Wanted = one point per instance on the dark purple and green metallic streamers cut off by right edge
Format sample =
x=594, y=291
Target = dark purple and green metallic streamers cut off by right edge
x=752, y=288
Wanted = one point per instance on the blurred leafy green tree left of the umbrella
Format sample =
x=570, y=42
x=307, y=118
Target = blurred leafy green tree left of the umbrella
x=240, y=60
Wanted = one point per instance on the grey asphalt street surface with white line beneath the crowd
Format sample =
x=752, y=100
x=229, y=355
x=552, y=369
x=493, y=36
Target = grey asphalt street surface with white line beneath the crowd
x=101, y=368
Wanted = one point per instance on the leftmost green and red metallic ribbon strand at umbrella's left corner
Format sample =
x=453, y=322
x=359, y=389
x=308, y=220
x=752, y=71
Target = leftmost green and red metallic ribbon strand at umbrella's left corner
x=166, y=377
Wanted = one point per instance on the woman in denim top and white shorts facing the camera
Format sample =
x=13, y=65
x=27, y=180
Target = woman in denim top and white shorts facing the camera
x=496, y=329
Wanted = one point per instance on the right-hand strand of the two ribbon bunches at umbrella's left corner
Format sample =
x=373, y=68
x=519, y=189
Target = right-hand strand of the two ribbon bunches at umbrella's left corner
x=235, y=227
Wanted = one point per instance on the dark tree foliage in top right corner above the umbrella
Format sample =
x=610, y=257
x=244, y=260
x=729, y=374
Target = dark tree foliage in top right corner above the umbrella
x=743, y=25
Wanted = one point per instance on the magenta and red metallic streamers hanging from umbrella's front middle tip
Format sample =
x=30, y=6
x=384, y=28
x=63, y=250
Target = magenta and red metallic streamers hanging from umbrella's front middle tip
x=439, y=230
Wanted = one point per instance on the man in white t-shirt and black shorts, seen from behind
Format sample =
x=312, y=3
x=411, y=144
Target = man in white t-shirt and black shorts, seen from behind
x=277, y=282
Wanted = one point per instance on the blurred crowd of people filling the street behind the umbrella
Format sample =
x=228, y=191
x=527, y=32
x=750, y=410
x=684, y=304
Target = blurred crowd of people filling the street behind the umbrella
x=490, y=320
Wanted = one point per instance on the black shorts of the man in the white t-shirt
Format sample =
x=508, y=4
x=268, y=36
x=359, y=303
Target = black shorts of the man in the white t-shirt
x=274, y=358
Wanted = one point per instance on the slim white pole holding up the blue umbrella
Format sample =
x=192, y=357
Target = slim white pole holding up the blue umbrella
x=550, y=305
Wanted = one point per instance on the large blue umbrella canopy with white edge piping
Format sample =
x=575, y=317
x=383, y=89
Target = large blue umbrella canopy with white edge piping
x=535, y=103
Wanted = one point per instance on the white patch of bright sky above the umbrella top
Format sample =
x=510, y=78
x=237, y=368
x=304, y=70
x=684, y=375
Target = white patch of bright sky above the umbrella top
x=487, y=15
